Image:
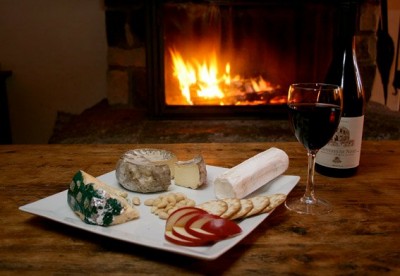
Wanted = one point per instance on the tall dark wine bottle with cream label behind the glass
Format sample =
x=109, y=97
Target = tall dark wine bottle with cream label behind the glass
x=341, y=156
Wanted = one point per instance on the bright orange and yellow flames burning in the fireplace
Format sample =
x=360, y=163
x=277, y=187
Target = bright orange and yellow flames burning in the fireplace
x=202, y=83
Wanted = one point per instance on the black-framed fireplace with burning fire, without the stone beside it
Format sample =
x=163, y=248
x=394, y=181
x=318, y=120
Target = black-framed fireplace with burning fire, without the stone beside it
x=236, y=57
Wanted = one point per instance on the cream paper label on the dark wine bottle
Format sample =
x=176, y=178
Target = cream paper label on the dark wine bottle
x=343, y=150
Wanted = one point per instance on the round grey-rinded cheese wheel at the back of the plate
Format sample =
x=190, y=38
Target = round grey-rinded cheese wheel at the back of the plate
x=146, y=170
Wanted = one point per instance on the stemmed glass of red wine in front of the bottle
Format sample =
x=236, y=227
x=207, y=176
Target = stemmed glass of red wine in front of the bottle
x=314, y=114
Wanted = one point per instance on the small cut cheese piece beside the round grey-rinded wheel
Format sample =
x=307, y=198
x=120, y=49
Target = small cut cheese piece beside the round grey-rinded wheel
x=191, y=173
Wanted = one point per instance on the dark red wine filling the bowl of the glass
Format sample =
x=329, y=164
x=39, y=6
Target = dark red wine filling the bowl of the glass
x=314, y=123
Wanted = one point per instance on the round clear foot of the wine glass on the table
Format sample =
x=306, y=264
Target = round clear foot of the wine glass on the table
x=315, y=207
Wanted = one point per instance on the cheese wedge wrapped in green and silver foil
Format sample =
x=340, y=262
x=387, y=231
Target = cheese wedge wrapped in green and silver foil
x=97, y=203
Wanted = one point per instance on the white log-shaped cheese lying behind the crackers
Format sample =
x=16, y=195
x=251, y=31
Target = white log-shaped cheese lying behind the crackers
x=251, y=174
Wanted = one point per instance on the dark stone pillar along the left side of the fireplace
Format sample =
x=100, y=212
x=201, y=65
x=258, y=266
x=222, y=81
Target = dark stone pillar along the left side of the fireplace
x=126, y=38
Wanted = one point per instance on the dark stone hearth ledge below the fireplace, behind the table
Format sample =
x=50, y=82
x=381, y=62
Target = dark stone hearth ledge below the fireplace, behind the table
x=105, y=124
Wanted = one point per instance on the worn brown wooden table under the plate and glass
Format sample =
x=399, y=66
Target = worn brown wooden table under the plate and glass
x=361, y=236
